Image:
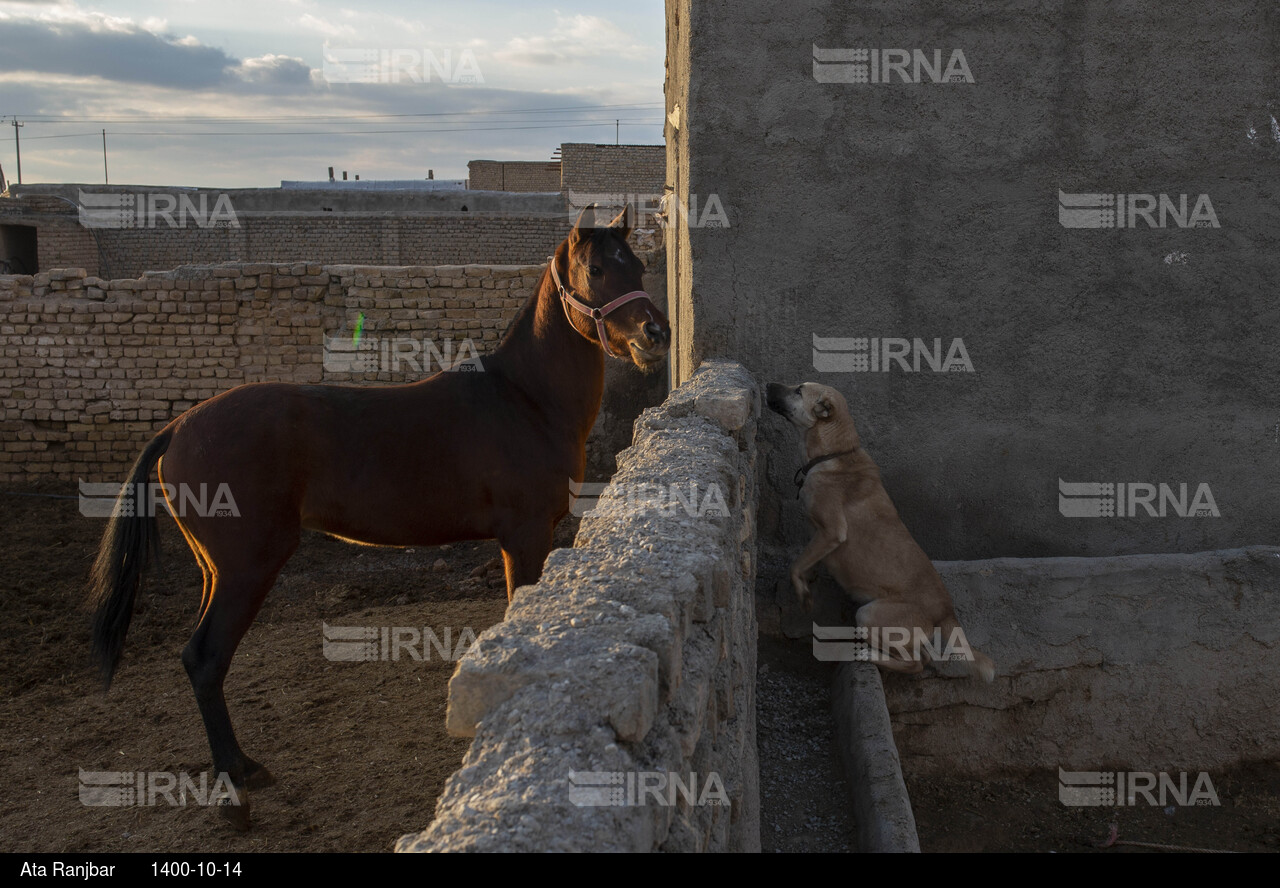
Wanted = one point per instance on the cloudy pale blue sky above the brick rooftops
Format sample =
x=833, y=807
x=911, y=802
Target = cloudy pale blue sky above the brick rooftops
x=244, y=94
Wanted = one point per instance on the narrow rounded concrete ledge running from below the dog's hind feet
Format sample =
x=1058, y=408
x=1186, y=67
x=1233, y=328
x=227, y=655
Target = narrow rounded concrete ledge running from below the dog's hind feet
x=883, y=809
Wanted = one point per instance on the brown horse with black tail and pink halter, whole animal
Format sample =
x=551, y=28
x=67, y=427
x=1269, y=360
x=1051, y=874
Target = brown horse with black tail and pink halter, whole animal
x=459, y=456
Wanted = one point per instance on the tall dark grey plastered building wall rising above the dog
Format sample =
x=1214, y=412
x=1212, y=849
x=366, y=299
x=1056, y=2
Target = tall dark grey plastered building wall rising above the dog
x=932, y=210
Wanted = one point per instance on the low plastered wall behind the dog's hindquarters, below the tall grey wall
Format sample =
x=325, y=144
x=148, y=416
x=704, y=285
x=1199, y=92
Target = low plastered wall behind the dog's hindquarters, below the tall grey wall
x=1127, y=663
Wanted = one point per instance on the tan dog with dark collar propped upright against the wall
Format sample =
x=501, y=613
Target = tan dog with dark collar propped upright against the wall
x=861, y=539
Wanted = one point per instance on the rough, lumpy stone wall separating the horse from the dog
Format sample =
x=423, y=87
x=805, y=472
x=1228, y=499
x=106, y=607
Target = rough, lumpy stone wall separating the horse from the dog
x=630, y=663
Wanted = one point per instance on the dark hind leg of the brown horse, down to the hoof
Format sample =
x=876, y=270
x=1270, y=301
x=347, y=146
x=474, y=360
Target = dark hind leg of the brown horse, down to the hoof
x=230, y=610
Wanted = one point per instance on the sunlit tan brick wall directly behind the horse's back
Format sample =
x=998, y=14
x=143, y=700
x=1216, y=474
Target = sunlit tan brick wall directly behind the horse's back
x=92, y=369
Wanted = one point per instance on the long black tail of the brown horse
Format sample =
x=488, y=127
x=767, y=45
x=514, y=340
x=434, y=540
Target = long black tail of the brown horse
x=130, y=543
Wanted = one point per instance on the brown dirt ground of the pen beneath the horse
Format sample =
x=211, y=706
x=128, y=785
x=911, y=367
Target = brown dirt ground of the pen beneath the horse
x=359, y=749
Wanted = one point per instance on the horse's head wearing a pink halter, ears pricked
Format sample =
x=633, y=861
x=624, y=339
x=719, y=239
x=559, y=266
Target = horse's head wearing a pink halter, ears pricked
x=601, y=287
